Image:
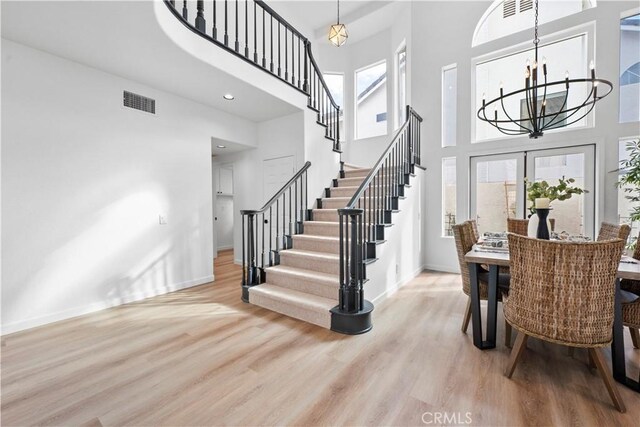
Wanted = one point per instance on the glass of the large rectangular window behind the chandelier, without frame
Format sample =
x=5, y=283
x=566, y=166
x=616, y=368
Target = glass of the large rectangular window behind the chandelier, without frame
x=571, y=54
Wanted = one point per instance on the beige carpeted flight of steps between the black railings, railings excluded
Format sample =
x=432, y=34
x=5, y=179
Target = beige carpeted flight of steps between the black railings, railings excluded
x=306, y=284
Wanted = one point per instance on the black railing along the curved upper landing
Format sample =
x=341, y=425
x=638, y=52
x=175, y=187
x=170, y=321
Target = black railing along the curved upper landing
x=253, y=31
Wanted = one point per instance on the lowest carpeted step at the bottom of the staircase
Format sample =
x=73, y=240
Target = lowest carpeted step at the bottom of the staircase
x=310, y=308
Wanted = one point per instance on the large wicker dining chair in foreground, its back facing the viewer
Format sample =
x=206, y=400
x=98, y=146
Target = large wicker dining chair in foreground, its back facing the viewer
x=564, y=293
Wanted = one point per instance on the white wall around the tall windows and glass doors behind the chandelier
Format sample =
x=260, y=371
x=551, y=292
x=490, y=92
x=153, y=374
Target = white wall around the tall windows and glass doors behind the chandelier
x=431, y=22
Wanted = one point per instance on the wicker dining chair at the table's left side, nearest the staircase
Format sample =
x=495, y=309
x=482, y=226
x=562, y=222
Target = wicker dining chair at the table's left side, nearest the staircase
x=465, y=238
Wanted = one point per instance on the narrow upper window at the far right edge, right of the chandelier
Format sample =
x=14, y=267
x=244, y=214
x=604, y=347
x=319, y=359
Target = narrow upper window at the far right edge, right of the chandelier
x=630, y=69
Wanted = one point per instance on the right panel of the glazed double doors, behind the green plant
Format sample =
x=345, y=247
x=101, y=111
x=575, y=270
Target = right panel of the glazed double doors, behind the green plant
x=577, y=214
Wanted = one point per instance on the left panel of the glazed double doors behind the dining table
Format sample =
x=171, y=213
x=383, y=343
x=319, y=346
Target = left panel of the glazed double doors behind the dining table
x=497, y=190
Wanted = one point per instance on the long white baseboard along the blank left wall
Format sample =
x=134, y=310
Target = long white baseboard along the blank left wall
x=98, y=306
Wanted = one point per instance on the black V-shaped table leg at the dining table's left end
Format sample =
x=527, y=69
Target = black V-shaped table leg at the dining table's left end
x=476, y=318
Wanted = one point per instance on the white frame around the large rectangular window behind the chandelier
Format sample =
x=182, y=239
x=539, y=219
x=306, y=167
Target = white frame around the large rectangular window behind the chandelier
x=587, y=29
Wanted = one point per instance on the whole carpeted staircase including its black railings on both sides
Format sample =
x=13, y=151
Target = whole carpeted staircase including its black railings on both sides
x=315, y=264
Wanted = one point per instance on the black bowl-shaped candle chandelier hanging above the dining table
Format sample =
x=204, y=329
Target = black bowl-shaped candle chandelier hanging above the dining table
x=536, y=119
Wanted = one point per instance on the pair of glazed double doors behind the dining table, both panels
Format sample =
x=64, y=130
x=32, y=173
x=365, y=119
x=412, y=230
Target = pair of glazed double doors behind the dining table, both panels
x=498, y=188
